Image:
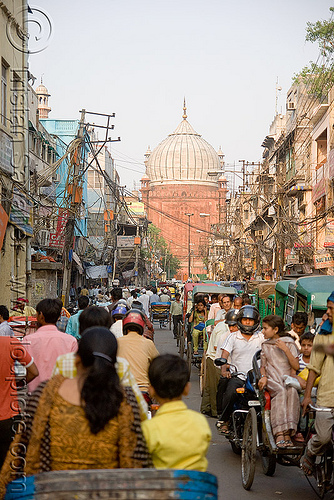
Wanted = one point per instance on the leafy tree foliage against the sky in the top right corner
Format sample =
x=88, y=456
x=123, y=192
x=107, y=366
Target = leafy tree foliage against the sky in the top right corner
x=319, y=78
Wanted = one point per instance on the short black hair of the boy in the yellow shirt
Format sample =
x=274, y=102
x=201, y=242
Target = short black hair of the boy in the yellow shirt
x=168, y=375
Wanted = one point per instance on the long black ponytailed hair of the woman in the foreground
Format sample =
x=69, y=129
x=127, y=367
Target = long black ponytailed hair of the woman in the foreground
x=101, y=393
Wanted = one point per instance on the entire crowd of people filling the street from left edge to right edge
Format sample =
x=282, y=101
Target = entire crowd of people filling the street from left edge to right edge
x=83, y=401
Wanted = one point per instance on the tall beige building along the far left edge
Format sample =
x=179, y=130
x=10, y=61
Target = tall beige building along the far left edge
x=16, y=204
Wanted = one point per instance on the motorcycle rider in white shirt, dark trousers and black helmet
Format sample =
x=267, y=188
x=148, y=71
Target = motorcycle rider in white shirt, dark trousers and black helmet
x=240, y=347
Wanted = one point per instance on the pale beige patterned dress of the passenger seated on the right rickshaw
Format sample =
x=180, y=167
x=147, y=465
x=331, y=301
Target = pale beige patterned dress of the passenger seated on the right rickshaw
x=285, y=408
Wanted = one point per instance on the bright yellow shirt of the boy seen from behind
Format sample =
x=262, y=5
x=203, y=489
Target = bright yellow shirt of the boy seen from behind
x=177, y=438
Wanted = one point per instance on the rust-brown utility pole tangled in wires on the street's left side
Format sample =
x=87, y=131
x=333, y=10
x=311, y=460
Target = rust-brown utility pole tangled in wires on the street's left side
x=72, y=186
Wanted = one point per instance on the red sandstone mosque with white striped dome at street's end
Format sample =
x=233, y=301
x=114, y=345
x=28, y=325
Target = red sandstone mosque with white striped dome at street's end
x=184, y=194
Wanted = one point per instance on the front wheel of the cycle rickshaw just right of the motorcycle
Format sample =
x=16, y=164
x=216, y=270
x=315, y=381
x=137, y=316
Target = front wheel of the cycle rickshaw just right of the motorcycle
x=248, y=453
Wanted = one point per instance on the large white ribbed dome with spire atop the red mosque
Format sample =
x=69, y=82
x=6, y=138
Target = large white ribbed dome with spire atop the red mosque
x=183, y=156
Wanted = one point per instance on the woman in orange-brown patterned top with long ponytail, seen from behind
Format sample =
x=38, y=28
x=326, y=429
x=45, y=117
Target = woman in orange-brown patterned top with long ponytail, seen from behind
x=89, y=422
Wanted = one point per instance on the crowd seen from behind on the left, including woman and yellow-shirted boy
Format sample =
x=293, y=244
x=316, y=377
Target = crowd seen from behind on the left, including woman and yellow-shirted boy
x=85, y=401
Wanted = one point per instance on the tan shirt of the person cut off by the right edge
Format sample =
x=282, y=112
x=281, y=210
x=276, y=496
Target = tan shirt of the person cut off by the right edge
x=323, y=365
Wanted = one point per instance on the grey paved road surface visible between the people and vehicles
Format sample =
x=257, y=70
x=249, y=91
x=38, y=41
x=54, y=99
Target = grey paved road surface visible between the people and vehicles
x=288, y=482
